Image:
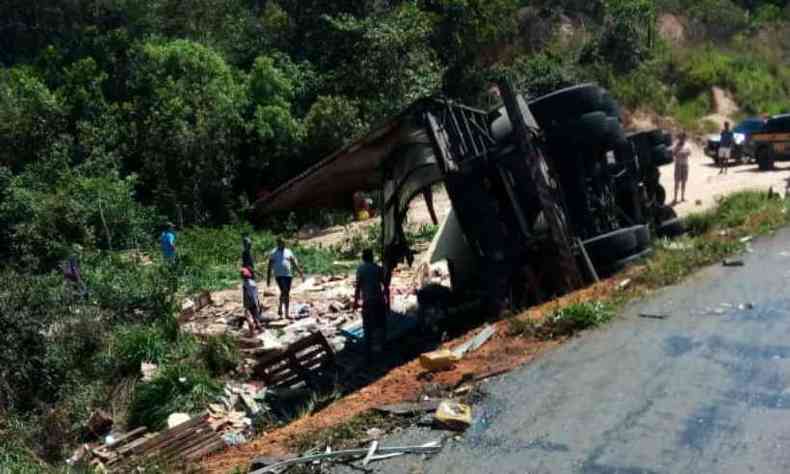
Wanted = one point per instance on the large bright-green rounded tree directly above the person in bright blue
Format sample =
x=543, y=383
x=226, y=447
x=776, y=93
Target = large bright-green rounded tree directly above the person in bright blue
x=186, y=111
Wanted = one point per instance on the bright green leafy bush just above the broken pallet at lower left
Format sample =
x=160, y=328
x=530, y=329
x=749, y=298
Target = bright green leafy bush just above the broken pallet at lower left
x=177, y=388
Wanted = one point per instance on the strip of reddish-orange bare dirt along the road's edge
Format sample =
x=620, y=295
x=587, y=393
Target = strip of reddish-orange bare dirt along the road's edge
x=501, y=353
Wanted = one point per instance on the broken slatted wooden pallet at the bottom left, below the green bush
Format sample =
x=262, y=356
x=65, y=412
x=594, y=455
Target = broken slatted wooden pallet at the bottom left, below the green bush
x=180, y=445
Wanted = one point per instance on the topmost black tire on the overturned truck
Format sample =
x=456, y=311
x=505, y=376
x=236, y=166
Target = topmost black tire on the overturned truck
x=554, y=108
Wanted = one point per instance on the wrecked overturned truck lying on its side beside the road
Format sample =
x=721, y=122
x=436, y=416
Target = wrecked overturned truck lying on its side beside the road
x=546, y=194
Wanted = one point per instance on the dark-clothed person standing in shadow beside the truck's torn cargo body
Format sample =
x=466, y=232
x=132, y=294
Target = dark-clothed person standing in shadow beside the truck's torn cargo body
x=370, y=287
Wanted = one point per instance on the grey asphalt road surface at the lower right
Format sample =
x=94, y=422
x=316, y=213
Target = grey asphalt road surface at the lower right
x=706, y=390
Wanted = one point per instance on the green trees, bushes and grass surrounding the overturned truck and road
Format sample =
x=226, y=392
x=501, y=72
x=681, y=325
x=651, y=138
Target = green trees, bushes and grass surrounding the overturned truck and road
x=118, y=116
